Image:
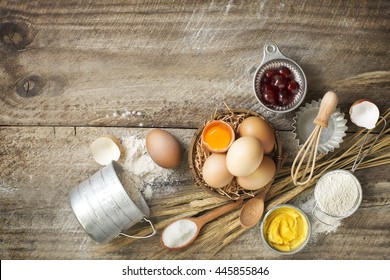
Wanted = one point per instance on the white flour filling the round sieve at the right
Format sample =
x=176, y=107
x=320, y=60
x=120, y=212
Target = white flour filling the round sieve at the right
x=337, y=193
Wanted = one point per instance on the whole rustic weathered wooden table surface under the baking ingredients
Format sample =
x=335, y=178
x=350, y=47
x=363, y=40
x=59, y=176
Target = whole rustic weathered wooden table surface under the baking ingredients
x=72, y=71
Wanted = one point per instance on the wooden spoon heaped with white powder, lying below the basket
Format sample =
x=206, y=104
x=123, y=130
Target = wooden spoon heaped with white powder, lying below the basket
x=201, y=221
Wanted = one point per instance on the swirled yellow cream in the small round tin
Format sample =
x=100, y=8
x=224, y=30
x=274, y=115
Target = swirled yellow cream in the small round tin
x=285, y=229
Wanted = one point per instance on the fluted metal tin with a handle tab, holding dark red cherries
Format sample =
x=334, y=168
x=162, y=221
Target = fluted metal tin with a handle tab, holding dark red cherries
x=273, y=59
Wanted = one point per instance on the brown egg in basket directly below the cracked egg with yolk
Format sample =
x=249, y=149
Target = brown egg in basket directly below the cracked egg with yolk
x=215, y=172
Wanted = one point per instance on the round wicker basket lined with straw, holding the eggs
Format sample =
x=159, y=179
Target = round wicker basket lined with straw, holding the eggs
x=197, y=155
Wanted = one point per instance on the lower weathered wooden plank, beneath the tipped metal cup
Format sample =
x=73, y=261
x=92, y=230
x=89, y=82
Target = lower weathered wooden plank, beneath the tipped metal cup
x=40, y=165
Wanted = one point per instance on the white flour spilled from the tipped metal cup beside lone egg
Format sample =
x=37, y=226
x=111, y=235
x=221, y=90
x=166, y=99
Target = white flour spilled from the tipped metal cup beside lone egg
x=139, y=165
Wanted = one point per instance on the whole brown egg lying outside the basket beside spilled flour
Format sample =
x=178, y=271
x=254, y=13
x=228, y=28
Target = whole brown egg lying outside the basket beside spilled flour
x=163, y=148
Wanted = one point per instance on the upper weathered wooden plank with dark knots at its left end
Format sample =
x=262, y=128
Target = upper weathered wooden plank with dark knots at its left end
x=171, y=64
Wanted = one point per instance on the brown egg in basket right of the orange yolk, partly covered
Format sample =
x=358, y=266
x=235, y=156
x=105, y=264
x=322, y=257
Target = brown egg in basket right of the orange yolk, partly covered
x=260, y=129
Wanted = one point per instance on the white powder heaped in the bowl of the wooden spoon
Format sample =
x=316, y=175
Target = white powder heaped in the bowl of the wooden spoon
x=179, y=233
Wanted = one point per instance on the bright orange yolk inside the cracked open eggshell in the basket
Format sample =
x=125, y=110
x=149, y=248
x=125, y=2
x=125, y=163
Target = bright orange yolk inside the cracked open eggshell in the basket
x=217, y=136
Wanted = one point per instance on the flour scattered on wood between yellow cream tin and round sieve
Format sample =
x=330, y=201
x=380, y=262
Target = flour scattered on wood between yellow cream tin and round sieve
x=306, y=202
